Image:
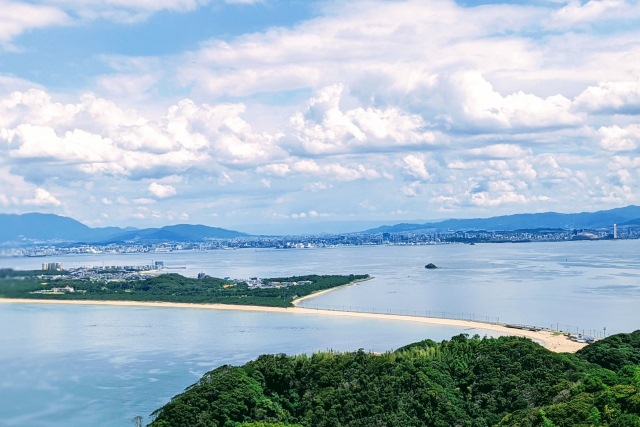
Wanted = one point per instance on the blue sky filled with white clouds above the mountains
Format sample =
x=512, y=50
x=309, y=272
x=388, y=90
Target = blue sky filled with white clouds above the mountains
x=268, y=116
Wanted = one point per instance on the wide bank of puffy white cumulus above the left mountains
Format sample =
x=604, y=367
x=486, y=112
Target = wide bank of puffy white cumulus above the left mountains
x=96, y=137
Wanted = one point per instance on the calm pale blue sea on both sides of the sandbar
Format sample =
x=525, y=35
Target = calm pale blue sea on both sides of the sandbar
x=82, y=365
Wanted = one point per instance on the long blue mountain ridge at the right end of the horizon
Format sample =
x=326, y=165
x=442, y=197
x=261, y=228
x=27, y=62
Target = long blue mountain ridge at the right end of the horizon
x=626, y=216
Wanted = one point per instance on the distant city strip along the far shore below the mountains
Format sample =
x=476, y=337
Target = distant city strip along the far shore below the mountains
x=319, y=241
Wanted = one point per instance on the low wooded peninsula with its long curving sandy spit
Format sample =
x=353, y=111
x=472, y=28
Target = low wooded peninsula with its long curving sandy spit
x=278, y=295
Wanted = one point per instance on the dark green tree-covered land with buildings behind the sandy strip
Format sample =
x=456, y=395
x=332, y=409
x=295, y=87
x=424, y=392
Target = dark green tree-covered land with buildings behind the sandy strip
x=168, y=288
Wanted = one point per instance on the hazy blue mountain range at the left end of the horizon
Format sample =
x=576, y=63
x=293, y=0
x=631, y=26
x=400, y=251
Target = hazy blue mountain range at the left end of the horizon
x=31, y=227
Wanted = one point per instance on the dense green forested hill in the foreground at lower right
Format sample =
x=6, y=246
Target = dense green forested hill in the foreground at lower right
x=465, y=381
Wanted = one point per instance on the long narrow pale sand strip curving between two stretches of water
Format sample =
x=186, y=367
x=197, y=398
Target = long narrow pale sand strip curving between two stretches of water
x=552, y=341
